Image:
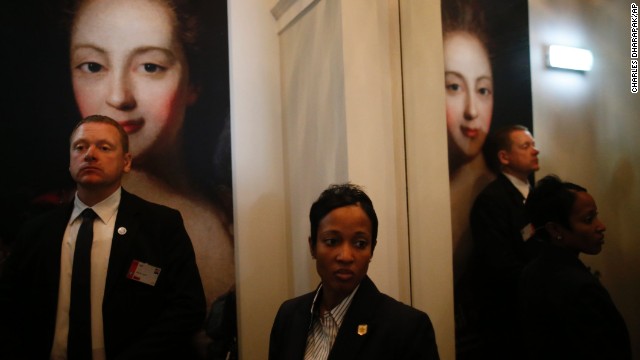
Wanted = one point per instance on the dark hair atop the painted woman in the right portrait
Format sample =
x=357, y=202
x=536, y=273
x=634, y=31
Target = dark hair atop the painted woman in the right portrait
x=465, y=16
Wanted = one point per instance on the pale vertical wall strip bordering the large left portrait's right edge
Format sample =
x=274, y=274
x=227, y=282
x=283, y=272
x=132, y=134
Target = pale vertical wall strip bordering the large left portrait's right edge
x=258, y=182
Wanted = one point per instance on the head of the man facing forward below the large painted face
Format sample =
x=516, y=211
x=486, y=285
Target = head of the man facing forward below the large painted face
x=97, y=159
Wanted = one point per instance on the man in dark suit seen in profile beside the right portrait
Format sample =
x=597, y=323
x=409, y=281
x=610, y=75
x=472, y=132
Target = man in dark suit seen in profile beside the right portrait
x=502, y=233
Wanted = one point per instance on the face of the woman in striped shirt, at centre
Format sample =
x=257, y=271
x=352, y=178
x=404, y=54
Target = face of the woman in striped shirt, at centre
x=343, y=250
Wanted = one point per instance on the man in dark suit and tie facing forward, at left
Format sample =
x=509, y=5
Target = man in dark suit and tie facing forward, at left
x=146, y=296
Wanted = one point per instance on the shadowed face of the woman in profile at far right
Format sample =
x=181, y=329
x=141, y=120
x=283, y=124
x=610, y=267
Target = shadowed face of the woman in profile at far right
x=587, y=230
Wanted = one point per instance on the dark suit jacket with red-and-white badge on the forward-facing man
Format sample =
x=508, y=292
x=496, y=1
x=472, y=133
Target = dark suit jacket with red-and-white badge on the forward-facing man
x=140, y=320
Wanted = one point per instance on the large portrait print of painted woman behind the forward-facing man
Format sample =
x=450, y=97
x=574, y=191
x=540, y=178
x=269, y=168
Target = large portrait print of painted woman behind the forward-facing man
x=160, y=68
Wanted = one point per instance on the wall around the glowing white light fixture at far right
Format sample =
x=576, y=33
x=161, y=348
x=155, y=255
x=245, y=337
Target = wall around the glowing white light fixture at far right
x=587, y=127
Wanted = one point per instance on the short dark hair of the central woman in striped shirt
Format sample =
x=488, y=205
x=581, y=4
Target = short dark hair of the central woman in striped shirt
x=340, y=195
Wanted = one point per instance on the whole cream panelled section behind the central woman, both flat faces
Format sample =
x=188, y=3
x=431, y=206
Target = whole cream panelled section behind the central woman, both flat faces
x=342, y=122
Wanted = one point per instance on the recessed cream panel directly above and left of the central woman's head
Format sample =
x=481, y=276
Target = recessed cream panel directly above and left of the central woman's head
x=314, y=120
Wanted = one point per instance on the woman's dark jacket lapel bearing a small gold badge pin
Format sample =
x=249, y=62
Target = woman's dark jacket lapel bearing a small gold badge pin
x=359, y=322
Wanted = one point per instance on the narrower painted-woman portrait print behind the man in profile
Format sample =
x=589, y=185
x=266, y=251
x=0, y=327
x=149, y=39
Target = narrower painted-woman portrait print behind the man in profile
x=487, y=87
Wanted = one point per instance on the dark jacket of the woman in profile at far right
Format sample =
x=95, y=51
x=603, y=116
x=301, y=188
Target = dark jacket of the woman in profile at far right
x=567, y=313
